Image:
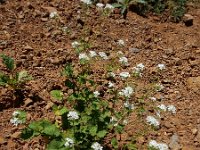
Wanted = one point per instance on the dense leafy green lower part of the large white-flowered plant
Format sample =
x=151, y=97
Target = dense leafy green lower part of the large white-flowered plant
x=87, y=119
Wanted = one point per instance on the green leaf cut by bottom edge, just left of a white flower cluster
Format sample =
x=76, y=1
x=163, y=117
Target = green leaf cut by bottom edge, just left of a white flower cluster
x=56, y=144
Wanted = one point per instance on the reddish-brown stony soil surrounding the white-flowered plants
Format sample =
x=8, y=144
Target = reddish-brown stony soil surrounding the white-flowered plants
x=39, y=46
